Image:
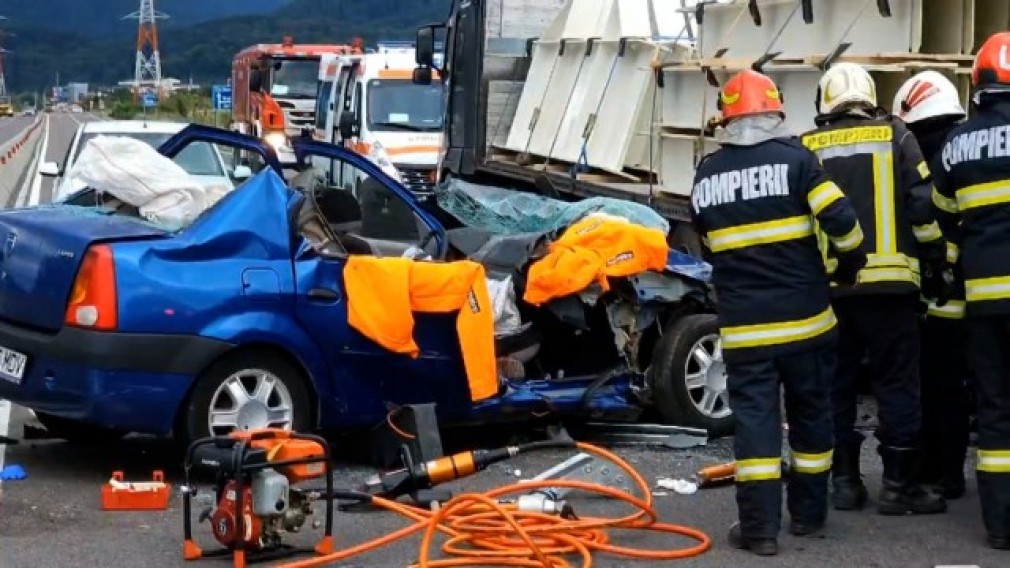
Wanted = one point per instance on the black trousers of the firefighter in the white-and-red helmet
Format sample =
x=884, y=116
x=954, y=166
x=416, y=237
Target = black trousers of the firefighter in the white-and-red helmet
x=946, y=399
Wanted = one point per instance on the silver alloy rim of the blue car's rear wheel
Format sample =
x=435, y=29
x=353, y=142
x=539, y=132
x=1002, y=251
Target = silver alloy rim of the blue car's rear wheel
x=250, y=400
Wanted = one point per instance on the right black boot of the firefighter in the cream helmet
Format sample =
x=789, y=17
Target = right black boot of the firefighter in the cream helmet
x=900, y=495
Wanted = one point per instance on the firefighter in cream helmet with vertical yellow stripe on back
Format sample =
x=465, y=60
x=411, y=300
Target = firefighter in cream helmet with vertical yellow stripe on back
x=879, y=166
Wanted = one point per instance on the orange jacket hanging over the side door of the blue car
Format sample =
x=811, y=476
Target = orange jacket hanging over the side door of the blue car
x=383, y=294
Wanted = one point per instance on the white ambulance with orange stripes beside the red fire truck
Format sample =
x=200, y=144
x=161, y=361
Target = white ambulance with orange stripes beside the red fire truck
x=370, y=103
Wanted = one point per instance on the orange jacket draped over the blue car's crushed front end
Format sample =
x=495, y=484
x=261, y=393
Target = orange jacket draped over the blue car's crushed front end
x=592, y=250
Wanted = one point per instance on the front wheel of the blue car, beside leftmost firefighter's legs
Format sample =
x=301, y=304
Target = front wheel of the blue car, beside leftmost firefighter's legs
x=688, y=376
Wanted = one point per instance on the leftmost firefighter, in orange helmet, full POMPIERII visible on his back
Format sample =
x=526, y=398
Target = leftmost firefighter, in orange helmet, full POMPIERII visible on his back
x=755, y=204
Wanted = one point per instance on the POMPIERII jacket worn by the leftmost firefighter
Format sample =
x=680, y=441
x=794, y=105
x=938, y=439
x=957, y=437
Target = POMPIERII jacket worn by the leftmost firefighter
x=755, y=208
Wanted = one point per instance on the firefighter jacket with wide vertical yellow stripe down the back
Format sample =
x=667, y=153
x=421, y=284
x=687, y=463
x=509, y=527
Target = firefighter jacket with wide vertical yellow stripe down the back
x=878, y=164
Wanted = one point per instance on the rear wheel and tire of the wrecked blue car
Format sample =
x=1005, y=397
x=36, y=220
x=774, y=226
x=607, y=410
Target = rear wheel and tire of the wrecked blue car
x=218, y=391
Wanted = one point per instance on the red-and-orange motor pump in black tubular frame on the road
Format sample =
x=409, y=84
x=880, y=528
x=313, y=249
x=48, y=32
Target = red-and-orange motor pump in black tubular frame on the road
x=256, y=500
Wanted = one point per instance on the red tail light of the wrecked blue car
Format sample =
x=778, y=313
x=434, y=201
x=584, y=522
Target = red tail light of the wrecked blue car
x=93, y=301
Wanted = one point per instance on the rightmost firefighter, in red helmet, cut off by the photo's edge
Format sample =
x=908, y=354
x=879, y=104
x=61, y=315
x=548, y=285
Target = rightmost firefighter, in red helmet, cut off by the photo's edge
x=973, y=192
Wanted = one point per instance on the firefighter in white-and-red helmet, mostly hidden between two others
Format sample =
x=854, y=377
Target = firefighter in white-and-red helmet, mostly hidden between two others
x=931, y=107
